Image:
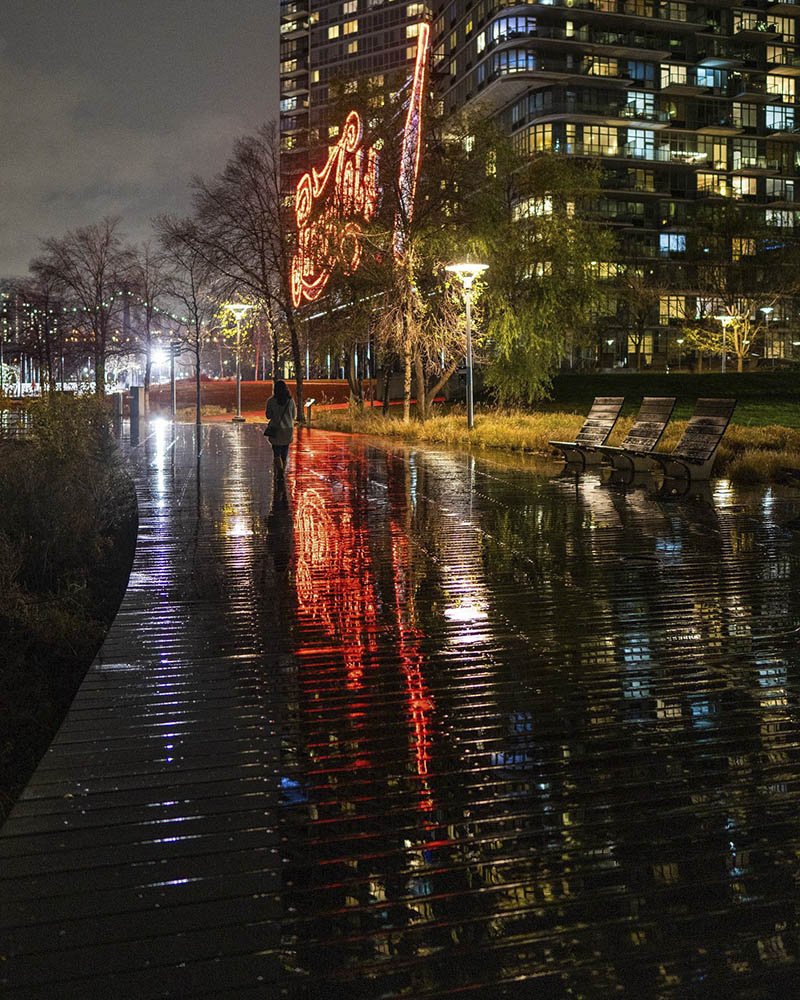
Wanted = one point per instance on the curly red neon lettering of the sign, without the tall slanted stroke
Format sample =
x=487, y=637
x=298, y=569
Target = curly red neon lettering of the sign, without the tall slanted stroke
x=348, y=188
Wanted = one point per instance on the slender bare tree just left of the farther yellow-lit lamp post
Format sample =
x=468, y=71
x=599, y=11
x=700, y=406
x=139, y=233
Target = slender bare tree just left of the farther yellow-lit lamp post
x=190, y=280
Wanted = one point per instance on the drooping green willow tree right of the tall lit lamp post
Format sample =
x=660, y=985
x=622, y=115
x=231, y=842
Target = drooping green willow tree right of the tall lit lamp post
x=529, y=221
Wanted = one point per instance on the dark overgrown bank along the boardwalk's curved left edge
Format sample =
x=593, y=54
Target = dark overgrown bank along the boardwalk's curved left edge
x=67, y=535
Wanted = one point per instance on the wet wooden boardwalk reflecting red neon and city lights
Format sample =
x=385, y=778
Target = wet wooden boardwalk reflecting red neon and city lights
x=423, y=726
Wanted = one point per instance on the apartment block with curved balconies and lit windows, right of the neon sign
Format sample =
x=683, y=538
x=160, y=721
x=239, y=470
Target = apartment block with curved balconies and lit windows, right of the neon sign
x=681, y=103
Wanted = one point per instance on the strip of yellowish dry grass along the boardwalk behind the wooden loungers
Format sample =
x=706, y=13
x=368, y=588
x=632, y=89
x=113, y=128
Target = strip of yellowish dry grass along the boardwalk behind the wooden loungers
x=746, y=455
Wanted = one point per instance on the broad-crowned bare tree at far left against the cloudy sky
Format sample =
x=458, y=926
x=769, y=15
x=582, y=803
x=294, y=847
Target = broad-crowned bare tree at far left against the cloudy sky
x=89, y=267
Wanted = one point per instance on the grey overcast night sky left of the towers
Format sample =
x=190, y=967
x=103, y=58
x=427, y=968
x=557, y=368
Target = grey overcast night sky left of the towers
x=107, y=107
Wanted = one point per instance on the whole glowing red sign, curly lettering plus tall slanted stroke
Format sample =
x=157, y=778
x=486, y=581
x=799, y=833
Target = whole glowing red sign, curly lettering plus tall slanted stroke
x=332, y=204
